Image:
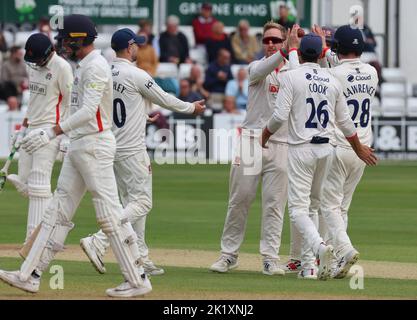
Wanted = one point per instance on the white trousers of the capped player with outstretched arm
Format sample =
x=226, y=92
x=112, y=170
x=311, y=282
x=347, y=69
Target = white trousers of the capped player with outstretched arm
x=134, y=182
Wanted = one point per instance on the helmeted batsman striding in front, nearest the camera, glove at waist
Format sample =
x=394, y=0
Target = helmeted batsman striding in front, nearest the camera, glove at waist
x=87, y=166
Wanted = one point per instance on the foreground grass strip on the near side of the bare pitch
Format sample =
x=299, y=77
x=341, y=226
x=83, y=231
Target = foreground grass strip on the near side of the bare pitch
x=82, y=282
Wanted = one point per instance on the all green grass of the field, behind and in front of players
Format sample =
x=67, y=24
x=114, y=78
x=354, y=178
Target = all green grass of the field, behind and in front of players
x=189, y=209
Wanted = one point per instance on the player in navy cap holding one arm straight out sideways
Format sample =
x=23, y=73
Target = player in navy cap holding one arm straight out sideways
x=134, y=92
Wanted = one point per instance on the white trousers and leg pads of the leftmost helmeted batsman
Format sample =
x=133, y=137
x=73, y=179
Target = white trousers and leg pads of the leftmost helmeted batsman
x=34, y=172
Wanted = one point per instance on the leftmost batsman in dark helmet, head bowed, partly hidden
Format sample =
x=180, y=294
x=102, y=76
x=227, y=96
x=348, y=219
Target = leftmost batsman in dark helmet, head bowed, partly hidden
x=50, y=81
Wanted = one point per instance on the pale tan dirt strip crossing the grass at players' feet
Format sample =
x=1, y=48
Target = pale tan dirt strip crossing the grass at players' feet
x=247, y=262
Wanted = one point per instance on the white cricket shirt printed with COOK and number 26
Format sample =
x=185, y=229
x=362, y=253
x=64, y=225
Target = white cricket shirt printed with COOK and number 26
x=312, y=102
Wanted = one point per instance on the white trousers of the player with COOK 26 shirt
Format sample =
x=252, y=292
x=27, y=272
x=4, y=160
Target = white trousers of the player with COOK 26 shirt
x=308, y=167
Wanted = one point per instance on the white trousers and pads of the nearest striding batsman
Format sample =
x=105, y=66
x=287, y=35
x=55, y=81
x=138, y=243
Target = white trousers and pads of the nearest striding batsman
x=87, y=167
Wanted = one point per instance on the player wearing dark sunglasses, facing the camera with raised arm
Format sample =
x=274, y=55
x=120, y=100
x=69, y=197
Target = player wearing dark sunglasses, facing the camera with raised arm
x=269, y=166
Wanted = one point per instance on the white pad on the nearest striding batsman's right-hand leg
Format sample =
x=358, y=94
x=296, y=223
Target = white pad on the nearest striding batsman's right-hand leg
x=120, y=239
